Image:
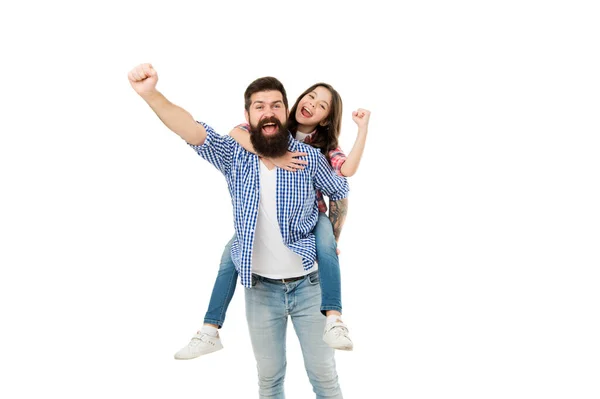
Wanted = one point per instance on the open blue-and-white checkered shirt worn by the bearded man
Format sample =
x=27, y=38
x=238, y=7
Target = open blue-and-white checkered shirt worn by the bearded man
x=297, y=210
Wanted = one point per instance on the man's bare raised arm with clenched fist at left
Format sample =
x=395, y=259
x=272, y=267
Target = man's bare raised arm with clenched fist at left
x=143, y=79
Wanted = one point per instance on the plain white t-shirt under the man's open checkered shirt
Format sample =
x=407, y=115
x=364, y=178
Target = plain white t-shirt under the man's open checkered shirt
x=270, y=257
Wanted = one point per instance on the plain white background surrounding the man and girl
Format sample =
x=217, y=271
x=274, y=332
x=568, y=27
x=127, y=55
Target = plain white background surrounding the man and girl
x=470, y=254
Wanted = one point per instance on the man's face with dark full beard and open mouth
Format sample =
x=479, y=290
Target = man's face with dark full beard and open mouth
x=267, y=118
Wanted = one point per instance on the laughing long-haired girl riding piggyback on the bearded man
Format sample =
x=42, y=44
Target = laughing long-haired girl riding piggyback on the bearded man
x=314, y=119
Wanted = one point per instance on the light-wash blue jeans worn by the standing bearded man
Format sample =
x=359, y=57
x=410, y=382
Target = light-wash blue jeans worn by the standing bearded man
x=268, y=305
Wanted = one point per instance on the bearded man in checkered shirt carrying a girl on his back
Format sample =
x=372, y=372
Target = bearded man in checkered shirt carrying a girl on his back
x=274, y=213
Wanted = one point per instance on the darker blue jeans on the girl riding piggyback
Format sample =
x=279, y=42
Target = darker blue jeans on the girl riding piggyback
x=329, y=269
